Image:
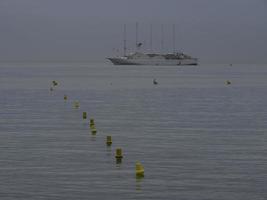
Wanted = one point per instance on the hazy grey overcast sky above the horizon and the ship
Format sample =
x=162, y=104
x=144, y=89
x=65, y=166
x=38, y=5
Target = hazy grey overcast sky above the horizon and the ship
x=217, y=31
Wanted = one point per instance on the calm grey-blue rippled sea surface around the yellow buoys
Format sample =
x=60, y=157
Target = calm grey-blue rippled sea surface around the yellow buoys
x=197, y=136
